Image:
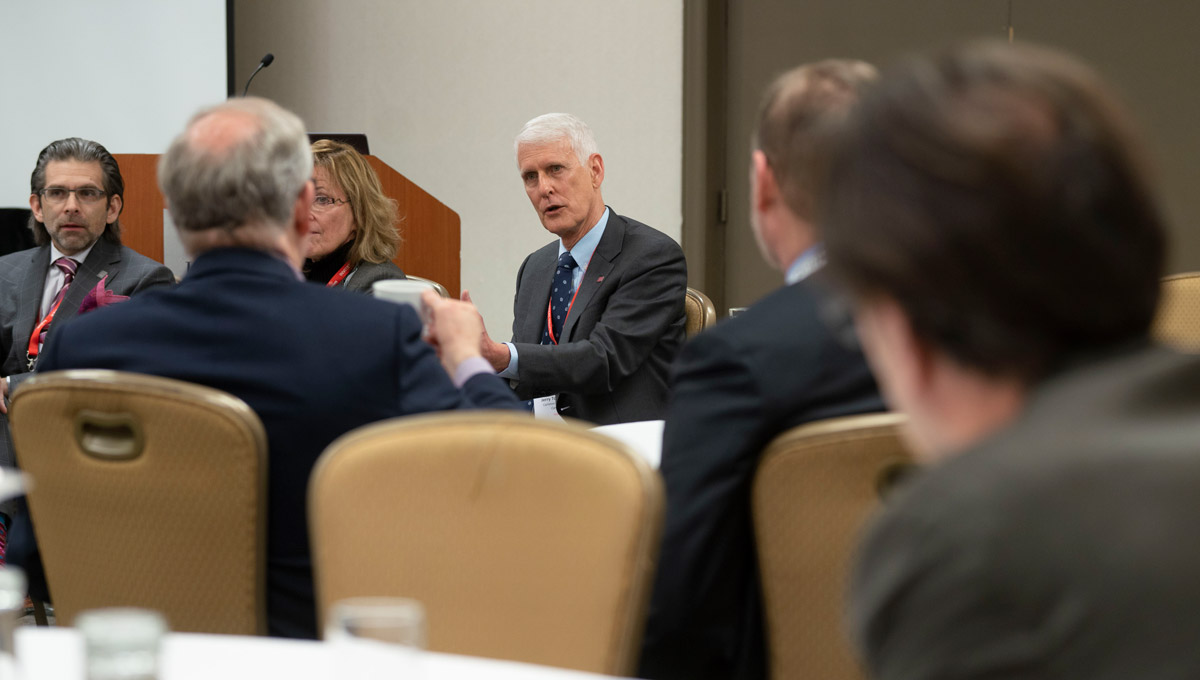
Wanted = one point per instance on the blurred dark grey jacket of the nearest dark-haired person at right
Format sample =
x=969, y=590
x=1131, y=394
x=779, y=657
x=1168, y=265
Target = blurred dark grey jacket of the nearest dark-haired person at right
x=1061, y=547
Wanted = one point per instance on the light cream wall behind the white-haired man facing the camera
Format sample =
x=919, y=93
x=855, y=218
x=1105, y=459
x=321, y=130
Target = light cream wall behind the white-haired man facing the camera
x=442, y=87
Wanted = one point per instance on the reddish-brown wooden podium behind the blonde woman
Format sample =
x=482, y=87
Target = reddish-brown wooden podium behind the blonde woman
x=430, y=232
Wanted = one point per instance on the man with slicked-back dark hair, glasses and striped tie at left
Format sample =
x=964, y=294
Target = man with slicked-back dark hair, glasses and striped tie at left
x=76, y=196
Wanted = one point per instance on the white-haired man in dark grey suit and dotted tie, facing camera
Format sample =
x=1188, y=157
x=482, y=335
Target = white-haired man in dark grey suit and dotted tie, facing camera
x=599, y=314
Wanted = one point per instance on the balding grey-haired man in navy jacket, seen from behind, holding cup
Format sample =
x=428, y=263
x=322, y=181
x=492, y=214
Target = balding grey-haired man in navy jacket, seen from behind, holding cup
x=313, y=363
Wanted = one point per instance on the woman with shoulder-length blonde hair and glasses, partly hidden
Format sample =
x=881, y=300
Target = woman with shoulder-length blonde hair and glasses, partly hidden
x=355, y=233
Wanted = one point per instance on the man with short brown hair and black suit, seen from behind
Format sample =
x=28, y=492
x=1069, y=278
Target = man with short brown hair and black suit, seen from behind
x=741, y=384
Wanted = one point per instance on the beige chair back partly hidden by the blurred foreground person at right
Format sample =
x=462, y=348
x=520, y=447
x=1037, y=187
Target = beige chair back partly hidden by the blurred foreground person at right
x=814, y=489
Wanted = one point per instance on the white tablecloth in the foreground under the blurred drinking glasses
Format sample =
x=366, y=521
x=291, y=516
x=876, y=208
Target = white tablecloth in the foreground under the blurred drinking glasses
x=58, y=654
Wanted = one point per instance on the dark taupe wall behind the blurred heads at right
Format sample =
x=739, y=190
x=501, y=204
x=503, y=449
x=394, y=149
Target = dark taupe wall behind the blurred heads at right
x=1147, y=50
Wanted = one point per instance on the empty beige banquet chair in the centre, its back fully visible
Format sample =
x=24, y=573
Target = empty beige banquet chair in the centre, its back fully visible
x=525, y=540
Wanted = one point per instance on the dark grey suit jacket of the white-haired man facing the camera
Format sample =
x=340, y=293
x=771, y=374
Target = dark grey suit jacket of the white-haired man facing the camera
x=625, y=329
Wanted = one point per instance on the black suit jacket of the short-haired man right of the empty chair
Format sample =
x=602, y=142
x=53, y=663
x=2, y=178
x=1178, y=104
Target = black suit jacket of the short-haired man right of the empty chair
x=734, y=389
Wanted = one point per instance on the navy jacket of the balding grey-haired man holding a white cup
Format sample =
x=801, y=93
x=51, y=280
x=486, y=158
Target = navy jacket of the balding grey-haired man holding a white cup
x=313, y=363
